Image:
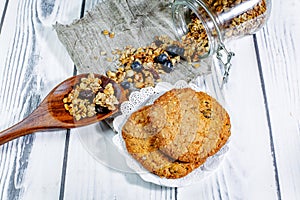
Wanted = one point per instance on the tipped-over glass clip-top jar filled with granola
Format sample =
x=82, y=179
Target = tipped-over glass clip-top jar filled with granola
x=204, y=25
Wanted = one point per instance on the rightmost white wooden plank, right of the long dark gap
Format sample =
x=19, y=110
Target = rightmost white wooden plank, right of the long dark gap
x=279, y=55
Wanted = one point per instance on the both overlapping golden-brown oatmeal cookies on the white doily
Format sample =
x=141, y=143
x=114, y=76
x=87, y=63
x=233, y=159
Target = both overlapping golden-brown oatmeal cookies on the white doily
x=177, y=133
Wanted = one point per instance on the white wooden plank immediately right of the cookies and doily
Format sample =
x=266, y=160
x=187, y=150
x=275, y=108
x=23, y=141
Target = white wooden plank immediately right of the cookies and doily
x=247, y=171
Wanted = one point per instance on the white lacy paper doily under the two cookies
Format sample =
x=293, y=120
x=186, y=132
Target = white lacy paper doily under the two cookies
x=146, y=96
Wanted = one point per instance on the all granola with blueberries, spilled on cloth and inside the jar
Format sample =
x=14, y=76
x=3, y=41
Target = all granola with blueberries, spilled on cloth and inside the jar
x=142, y=67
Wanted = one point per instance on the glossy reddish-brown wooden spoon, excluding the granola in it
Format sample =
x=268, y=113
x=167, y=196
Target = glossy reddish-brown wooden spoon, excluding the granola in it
x=51, y=114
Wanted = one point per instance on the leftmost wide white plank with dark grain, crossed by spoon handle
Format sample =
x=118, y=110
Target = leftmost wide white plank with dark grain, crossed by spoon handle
x=32, y=61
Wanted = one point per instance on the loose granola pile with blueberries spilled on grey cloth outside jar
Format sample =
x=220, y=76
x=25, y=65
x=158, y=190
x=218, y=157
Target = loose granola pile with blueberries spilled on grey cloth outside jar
x=143, y=67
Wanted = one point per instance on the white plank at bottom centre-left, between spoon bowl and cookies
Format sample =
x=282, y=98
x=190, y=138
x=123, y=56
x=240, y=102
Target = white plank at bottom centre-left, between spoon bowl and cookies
x=88, y=179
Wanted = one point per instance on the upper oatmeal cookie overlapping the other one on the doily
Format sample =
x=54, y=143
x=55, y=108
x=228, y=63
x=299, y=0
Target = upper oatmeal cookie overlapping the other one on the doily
x=204, y=127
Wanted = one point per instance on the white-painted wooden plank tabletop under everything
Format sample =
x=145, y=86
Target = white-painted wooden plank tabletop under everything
x=263, y=96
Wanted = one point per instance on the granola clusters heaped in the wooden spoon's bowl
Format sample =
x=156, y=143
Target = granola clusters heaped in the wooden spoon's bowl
x=90, y=97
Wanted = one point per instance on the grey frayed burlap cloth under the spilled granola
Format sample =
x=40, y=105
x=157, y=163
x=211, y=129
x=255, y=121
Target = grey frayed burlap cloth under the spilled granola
x=134, y=22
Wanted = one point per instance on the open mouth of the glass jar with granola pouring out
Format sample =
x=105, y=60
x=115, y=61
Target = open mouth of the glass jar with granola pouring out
x=195, y=25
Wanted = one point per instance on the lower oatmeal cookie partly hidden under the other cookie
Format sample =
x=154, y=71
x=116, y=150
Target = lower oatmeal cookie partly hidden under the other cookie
x=143, y=146
